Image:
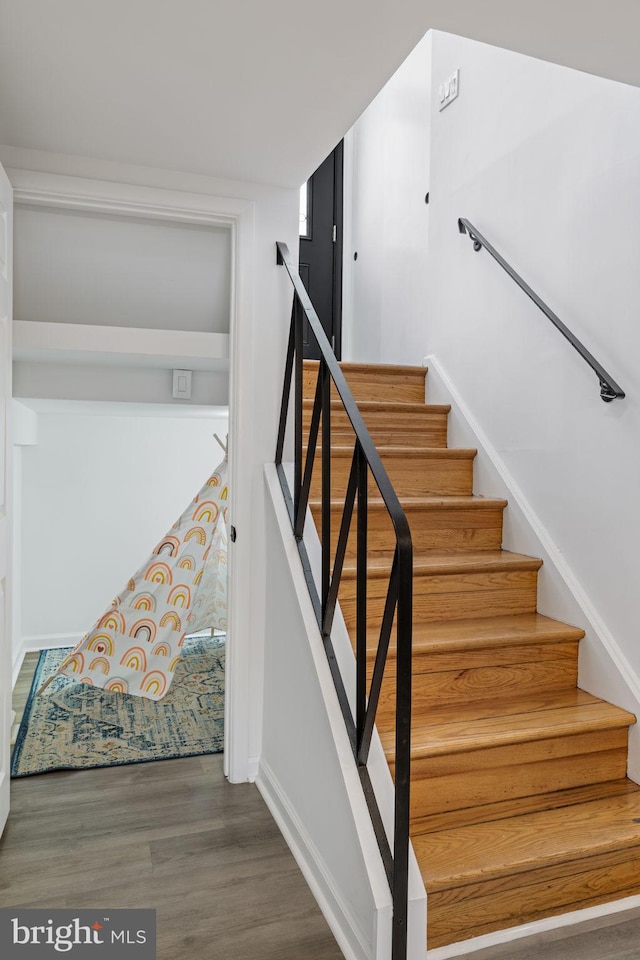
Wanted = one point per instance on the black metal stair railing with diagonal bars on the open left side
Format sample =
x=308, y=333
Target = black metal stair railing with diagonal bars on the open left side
x=399, y=599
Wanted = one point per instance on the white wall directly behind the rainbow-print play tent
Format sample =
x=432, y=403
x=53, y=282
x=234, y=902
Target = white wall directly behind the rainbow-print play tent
x=98, y=492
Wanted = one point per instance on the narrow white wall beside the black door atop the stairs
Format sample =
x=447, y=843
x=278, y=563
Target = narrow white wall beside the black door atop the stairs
x=385, y=287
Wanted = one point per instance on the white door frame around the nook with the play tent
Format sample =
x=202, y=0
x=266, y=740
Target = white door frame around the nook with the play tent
x=238, y=215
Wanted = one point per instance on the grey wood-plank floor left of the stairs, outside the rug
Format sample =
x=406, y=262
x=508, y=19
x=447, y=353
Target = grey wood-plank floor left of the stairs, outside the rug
x=172, y=835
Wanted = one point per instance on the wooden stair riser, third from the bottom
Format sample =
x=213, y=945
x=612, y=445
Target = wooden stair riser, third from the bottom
x=516, y=672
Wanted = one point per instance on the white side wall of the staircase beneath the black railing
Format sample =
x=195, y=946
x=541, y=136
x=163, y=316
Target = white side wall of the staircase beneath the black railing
x=307, y=774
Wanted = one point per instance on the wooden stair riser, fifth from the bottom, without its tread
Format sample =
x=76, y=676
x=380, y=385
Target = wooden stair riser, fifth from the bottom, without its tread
x=443, y=530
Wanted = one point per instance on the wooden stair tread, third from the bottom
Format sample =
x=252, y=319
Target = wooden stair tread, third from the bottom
x=449, y=636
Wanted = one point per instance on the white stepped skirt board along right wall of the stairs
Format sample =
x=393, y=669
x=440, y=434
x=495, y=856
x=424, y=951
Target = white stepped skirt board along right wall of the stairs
x=604, y=670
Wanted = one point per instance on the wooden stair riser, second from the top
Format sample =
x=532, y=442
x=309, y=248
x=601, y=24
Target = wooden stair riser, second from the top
x=393, y=429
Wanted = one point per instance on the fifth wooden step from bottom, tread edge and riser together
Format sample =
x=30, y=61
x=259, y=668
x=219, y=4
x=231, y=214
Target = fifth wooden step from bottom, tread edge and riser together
x=438, y=524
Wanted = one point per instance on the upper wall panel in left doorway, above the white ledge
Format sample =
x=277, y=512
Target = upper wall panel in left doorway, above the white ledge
x=76, y=266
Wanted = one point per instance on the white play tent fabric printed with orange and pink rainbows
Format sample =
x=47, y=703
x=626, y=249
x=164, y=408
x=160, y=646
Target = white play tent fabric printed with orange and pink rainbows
x=181, y=589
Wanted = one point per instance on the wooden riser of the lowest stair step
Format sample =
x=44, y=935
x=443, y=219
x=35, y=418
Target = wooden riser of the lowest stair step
x=480, y=908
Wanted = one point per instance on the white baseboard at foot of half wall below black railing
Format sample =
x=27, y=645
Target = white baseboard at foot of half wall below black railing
x=336, y=912
